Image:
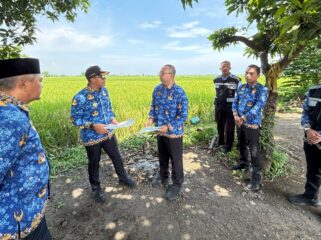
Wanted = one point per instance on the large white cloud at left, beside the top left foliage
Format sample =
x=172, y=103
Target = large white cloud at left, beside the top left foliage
x=61, y=39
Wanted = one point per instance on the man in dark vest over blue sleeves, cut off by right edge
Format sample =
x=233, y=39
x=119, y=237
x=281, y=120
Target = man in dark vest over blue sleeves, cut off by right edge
x=311, y=122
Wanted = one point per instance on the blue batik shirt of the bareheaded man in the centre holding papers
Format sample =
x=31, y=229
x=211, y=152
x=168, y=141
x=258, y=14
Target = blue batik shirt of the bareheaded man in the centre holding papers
x=169, y=107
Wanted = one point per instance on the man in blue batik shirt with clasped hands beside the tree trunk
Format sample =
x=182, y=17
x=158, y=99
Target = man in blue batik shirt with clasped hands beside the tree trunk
x=250, y=98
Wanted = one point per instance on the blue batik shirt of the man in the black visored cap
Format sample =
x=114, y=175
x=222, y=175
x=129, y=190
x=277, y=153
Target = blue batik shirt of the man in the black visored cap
x=90, y=106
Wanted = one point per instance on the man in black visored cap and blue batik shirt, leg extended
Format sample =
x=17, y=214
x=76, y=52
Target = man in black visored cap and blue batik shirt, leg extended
x=91, y=111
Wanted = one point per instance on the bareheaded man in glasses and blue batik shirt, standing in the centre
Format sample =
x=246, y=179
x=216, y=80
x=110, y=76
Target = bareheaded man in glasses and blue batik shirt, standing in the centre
x=169, y=111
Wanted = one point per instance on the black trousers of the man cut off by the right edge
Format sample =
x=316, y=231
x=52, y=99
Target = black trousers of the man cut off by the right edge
x=313, y=158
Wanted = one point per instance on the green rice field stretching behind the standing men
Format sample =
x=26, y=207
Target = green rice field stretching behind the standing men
x=130, y=95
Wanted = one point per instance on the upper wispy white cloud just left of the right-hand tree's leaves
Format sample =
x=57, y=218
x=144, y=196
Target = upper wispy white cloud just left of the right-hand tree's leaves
x=188, y=30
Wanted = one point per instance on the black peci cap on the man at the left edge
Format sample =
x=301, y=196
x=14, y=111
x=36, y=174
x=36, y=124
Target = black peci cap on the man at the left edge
x=19, y=66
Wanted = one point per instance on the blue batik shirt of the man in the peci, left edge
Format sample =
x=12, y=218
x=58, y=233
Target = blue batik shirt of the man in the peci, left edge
x=24, y=171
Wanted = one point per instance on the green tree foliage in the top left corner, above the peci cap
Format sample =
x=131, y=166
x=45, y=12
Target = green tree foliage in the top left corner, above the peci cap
x=18, y=19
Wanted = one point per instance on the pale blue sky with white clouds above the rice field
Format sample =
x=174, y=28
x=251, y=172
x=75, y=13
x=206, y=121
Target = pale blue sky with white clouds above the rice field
x=128, y=37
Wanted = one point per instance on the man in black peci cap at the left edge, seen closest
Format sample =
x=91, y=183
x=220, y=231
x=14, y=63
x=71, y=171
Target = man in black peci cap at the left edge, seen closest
x=24, y=168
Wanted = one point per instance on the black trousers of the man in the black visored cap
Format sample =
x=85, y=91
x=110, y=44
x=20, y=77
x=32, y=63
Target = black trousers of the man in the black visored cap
x=110, y=146
